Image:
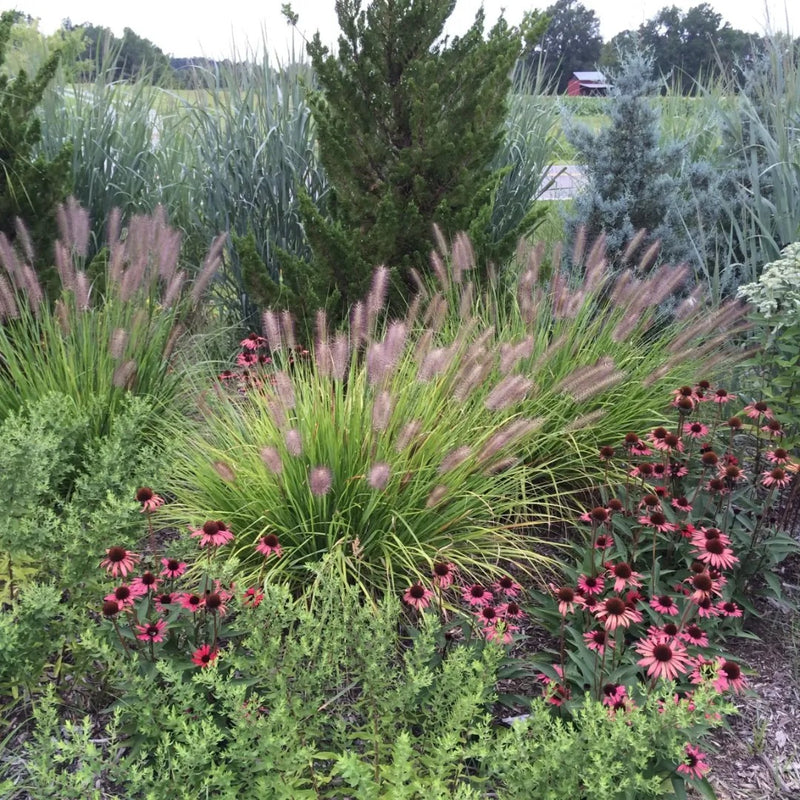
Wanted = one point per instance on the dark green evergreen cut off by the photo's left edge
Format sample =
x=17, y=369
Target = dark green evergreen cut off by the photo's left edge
x=30, y=184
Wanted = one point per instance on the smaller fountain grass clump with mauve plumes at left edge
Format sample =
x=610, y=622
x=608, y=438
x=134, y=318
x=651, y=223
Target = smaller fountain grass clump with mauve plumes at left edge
x=107, y=335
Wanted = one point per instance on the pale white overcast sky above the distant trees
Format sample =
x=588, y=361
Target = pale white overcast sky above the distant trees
x=200, y=27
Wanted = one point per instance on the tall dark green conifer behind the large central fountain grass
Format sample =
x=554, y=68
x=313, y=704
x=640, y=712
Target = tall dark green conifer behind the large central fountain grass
x=407, y=124
